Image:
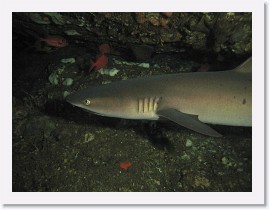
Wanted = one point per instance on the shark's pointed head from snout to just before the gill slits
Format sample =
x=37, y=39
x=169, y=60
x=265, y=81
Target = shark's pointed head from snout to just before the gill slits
x=111, y=100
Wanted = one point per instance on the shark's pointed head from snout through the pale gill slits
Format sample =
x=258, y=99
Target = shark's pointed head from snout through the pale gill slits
x=115, y=100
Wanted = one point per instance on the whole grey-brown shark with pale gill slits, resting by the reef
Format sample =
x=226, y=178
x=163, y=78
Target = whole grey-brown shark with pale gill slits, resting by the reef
x=188, y=99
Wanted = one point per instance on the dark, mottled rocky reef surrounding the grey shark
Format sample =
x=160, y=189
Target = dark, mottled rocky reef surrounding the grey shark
x=57, y=147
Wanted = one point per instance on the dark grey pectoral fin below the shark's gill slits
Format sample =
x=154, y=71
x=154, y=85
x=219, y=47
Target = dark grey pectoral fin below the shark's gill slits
x=189, y=121
